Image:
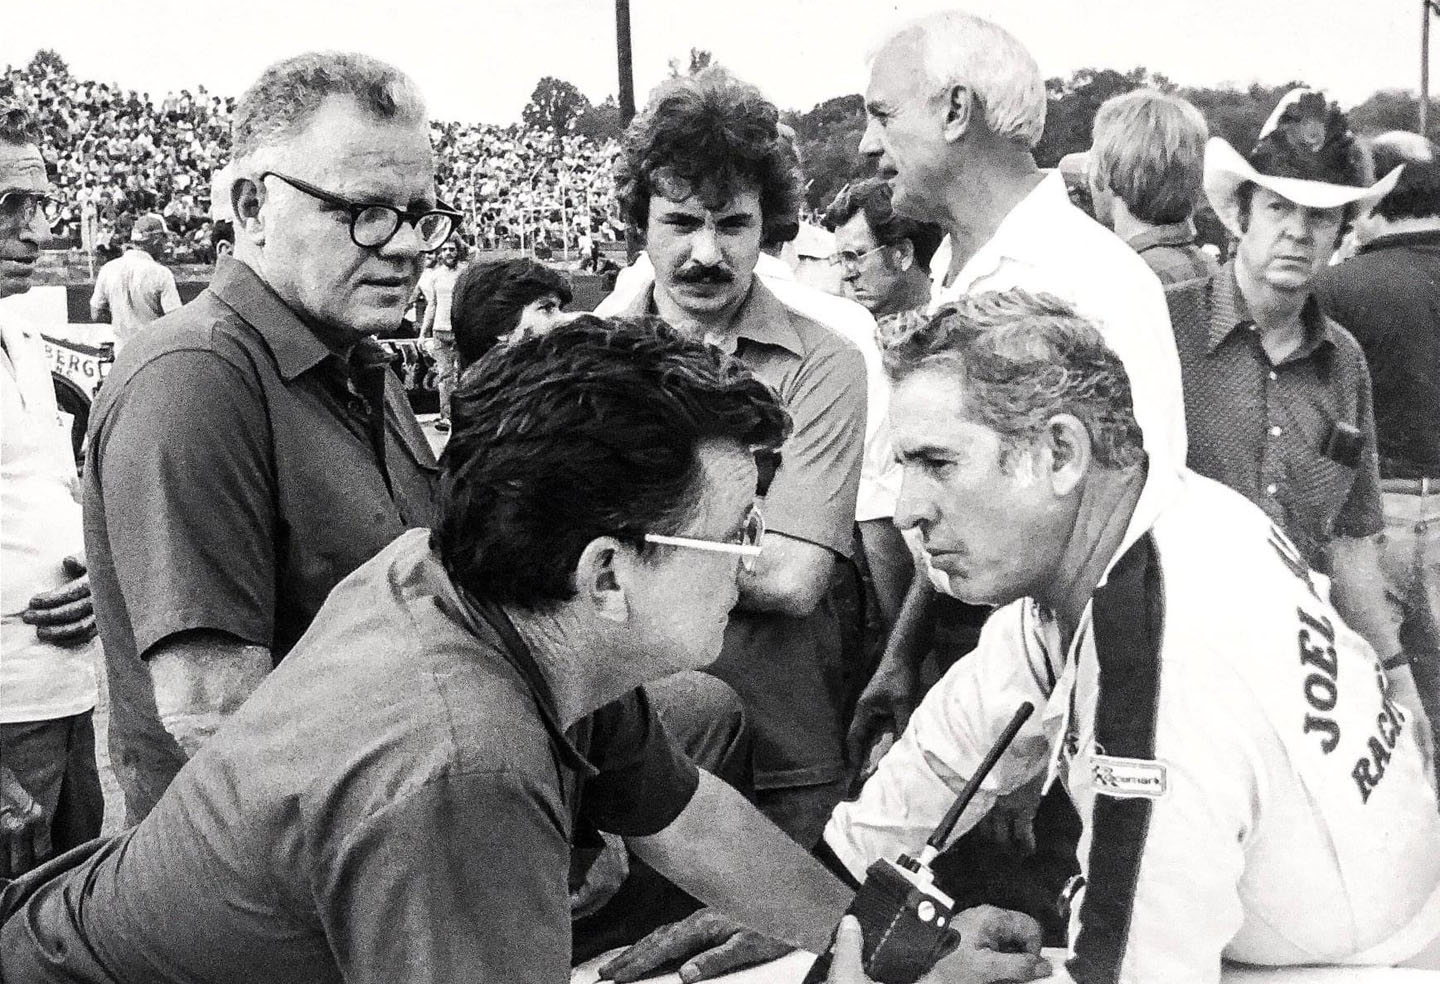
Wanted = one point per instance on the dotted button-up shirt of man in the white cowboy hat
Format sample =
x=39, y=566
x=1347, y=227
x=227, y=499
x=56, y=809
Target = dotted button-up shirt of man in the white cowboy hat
x=1266, y=430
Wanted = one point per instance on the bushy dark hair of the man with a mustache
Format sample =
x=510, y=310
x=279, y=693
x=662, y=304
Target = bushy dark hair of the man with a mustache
x=711, y=135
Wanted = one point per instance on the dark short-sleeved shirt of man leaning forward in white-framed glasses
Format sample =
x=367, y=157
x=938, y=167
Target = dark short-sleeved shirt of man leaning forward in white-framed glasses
x=395, y=803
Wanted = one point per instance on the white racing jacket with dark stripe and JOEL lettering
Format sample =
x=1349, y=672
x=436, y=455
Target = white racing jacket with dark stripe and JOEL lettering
x=1248, y=790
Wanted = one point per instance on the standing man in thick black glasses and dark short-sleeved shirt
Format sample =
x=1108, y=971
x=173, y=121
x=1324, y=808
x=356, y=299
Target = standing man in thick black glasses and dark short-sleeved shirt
x=257, y=450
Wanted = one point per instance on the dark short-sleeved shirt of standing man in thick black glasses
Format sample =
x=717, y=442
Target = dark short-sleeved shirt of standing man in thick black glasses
x=238, y=470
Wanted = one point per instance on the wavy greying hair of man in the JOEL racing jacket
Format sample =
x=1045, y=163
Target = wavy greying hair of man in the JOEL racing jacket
x=1023, y=358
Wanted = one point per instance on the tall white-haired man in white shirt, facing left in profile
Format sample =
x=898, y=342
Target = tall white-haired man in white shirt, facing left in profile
x=957, y=106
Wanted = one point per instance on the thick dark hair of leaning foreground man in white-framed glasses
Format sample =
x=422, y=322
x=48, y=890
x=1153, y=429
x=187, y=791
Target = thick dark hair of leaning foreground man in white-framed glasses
x=591, y=430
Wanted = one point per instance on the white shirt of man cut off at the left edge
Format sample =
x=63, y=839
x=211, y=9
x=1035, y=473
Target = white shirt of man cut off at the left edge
x=40, y=528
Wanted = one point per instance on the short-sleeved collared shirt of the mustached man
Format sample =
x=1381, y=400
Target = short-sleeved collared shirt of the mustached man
x=787, y=669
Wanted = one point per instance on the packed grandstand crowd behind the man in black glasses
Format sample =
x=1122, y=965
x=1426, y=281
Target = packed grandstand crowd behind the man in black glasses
x=123, y=153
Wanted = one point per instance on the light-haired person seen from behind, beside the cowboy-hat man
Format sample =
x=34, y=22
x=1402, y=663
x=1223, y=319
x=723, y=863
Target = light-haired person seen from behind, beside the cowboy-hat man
x=1146, y=168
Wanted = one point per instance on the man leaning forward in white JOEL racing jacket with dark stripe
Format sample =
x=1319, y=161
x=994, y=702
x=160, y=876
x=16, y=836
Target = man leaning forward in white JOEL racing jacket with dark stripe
x=1236, y=806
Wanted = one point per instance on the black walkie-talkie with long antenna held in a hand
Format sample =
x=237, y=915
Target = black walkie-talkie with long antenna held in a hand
x=905, y=920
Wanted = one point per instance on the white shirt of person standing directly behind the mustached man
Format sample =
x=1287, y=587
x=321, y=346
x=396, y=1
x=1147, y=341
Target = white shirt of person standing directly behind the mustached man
x=879, y=473
